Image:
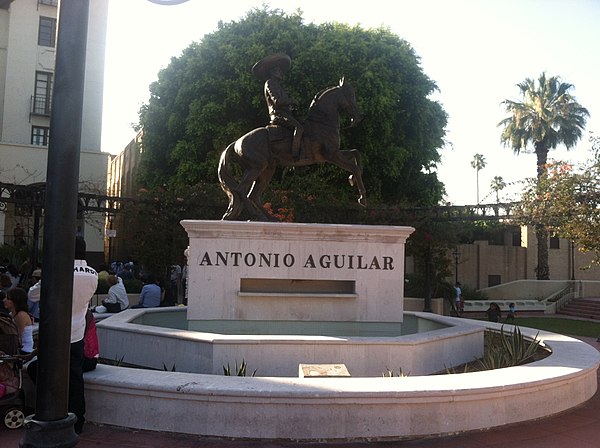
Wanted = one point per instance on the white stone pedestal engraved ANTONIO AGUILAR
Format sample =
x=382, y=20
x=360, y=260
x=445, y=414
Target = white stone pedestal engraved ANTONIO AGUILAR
x=245, y=271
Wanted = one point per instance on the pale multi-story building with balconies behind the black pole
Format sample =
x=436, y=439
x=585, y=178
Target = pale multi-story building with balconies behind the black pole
x=28, y=37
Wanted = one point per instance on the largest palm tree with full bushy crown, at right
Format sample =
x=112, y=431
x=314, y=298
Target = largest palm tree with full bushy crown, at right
x=548, y=116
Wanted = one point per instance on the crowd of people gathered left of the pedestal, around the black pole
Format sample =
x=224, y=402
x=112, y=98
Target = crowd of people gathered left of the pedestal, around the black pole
x=20, y=300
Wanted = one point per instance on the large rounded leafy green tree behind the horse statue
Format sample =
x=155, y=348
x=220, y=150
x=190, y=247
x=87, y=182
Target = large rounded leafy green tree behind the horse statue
x=208, y=97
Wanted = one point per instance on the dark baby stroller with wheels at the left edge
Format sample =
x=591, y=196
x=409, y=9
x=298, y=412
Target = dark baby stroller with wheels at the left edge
x=12, y=396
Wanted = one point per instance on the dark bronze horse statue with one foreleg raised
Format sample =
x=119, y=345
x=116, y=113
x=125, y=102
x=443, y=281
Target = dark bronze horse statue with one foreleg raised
x=261, y=150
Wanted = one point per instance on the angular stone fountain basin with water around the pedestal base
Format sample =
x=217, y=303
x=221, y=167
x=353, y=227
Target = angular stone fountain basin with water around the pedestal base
x=430, y=345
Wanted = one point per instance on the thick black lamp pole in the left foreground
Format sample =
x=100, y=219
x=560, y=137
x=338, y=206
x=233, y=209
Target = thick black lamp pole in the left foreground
x=52, y=425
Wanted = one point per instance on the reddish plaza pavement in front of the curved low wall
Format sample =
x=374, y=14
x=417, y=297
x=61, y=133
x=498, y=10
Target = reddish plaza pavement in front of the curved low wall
x=576, y=428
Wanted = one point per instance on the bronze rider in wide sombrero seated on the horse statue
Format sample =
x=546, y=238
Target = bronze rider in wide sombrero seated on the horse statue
x=271, y=70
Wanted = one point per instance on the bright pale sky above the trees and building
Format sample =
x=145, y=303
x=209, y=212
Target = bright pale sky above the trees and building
x=476, y=52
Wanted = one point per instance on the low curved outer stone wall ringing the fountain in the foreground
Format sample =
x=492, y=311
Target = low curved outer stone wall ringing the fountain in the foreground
x=346, y=408
